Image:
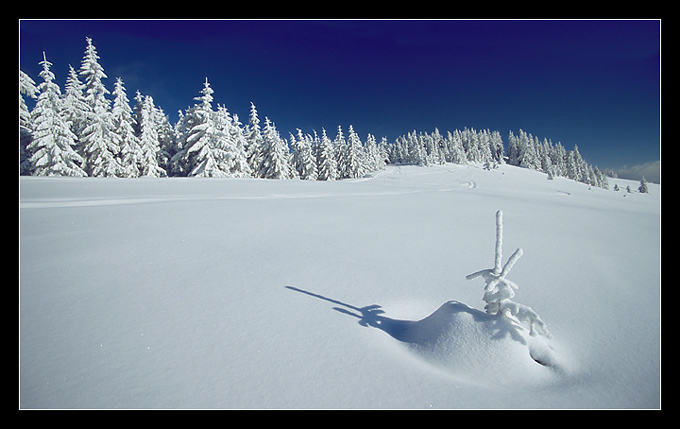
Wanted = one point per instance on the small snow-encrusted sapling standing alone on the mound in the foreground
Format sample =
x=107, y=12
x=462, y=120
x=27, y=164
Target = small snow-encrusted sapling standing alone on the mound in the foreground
x=499, y=291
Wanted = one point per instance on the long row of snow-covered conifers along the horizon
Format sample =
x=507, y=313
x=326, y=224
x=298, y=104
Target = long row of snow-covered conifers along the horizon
x=89, y=131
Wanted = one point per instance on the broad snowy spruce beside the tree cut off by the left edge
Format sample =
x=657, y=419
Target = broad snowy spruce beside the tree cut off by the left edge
x=52, y=150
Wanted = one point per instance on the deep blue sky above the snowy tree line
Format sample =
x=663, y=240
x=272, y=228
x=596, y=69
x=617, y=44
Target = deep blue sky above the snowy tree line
x=592, y=83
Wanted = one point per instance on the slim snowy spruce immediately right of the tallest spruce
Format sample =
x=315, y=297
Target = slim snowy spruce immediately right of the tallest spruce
x=123, y=127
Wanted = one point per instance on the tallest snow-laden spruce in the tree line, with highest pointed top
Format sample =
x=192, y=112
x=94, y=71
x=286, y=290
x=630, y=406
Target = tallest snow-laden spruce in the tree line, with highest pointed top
x=98, y=142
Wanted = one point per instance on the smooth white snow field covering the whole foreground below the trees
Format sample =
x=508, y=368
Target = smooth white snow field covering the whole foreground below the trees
x=252, y=293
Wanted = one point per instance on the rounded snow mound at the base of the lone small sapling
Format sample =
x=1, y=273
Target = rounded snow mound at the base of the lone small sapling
x=481, y=348
